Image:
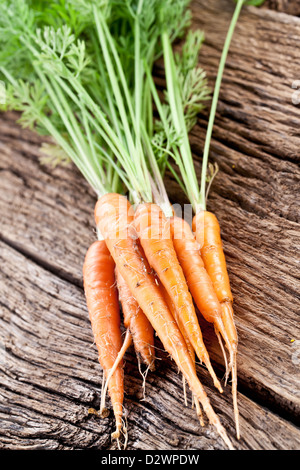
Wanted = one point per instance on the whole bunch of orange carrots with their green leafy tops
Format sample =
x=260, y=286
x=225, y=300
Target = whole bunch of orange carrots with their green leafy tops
x=81, y=72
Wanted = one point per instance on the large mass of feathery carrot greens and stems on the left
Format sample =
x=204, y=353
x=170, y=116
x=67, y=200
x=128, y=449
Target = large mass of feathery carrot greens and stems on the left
x=84, y=82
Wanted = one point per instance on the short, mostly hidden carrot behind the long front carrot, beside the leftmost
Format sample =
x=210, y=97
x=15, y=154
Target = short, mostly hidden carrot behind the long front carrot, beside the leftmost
x=137, y=322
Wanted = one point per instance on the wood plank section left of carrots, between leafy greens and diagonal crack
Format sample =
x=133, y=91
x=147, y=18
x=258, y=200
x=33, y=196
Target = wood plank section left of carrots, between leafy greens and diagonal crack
x=48, y=213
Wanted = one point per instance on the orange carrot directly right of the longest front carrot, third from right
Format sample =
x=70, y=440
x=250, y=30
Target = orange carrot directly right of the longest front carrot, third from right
x=153, y=229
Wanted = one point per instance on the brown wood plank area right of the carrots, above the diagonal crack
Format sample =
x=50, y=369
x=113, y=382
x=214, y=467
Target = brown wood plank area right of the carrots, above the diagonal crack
x=255, y=143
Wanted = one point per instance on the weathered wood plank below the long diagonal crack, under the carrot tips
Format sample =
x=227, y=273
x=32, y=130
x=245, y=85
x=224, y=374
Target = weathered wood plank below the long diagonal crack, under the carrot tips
x=50, y=378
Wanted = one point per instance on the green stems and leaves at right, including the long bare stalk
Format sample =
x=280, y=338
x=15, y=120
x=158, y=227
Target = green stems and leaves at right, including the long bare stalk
x=185, y=94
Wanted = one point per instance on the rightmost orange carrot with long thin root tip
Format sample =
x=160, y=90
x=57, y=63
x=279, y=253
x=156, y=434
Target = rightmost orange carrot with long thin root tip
x=207, y=232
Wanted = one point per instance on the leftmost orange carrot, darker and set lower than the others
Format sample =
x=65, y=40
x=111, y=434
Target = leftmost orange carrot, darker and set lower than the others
x=103, y=307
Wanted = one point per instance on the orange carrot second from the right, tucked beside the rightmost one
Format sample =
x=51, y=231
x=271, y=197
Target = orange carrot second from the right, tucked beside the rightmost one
x=198, y=280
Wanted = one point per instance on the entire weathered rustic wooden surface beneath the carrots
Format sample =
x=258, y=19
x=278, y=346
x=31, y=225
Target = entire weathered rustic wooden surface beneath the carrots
x=50, y=376
